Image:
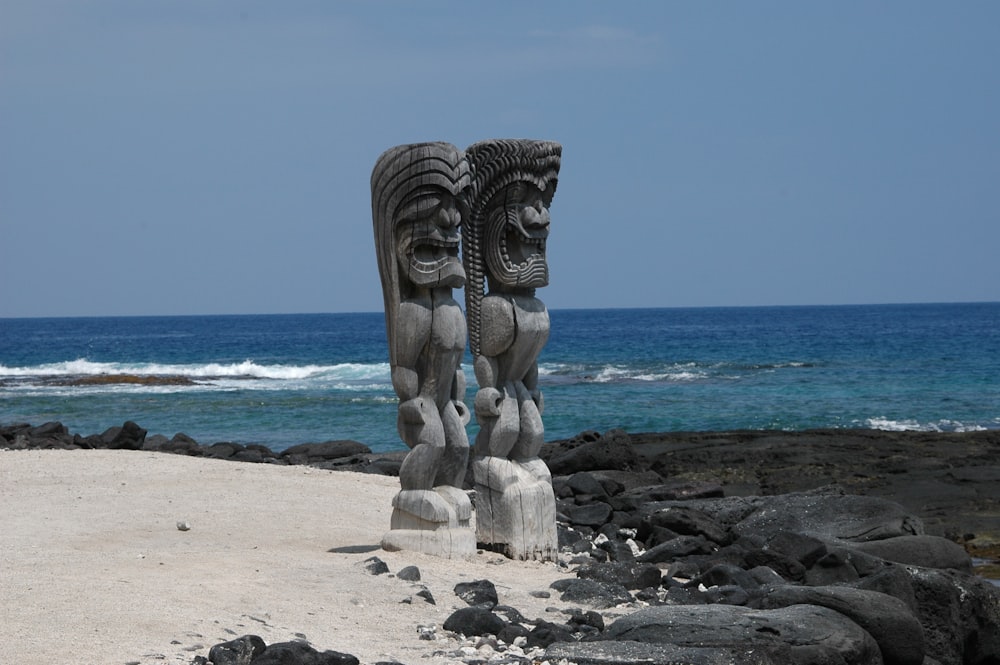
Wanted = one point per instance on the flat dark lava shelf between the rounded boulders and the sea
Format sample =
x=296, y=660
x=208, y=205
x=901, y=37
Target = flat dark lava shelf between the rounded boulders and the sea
x=951, y=480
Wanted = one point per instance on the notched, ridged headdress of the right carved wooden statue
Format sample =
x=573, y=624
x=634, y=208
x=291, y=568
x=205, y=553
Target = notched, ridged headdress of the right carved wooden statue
x=495, y=164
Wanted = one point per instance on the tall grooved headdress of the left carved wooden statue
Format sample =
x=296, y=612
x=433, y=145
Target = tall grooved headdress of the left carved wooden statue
x=403, y=178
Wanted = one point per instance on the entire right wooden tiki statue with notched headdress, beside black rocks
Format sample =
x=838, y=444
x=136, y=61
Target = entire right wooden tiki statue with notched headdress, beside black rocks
x=503, y=245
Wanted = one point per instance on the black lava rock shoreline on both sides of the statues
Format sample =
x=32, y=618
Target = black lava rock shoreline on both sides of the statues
x=833, y=546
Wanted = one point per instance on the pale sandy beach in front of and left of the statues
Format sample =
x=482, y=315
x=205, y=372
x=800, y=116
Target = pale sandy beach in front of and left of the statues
x=93, y=568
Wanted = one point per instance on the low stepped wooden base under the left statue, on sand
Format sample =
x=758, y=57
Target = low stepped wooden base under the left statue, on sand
x=433, y=522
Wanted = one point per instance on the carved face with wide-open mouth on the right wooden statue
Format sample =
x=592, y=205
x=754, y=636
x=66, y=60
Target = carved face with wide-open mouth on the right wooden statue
x=517, y=226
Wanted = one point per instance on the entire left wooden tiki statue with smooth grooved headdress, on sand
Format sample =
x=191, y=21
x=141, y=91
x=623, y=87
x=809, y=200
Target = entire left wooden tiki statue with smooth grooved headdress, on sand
x=415, y=213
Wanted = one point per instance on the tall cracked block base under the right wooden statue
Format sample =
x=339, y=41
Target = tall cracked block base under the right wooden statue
x=515, y=508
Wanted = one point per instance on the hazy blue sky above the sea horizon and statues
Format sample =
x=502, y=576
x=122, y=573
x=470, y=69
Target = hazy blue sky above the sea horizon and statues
x=191, y=157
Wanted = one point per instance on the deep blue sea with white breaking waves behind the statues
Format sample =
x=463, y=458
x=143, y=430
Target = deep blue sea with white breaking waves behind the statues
x=287, y=379
